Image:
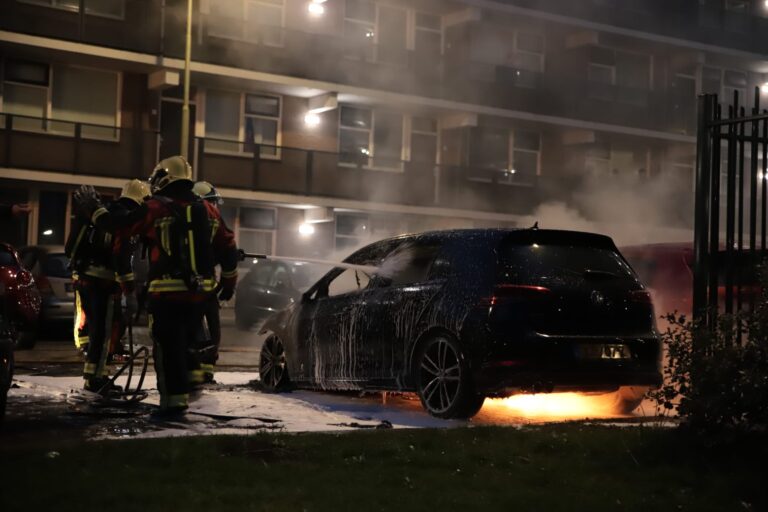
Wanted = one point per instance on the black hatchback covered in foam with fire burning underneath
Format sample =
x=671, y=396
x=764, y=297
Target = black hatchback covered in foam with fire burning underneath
x=457, y=316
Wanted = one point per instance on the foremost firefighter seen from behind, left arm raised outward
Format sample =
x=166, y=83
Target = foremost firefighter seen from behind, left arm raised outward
x=184, y=233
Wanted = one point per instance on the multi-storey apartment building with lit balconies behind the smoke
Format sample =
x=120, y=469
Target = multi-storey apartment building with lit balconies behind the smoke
x=328, y=123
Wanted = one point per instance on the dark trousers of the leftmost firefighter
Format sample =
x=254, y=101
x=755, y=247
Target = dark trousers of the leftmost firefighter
x=98, y=301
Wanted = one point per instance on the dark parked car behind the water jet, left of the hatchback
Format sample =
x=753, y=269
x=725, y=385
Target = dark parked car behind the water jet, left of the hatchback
x=270, y=286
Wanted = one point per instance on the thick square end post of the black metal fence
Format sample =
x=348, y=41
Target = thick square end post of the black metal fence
x=702, y=206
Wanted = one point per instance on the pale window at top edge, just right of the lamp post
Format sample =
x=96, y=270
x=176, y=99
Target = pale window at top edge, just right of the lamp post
x=256, y=21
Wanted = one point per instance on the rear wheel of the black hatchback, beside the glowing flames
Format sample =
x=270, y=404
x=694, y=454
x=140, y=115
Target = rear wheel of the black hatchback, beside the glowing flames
x=443, y=379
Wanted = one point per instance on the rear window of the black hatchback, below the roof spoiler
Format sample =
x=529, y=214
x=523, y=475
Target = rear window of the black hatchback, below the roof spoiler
x=539, y=263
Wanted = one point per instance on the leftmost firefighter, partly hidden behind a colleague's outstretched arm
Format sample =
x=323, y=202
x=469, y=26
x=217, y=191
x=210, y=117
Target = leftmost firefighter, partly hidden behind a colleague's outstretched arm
x=97, y=272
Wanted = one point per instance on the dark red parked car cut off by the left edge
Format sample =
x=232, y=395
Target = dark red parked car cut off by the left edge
x=19, y=298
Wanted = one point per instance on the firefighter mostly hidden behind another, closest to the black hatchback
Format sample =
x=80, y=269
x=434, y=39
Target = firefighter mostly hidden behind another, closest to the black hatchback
x=210, y=337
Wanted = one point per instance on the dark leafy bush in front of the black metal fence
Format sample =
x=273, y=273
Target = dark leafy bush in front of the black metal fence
x=721, y=380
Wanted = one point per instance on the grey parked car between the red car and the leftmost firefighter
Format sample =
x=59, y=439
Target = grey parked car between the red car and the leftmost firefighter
x=50, y=269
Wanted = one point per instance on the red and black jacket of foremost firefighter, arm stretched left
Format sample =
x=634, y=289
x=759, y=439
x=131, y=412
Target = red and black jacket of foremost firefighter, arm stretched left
x=186, y=237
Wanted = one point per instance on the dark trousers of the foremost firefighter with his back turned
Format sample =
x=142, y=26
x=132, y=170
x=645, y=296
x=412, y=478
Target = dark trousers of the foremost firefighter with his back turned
x=174, y=326
